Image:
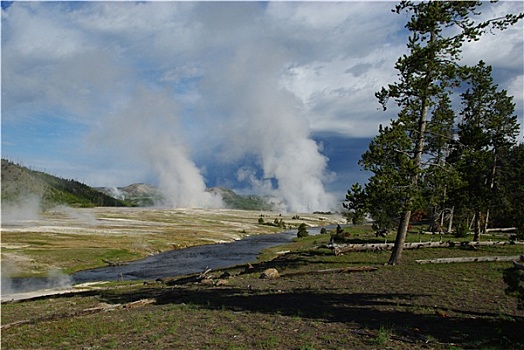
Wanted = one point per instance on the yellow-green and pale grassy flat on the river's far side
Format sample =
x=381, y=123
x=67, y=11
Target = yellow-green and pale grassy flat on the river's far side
x=77, y=239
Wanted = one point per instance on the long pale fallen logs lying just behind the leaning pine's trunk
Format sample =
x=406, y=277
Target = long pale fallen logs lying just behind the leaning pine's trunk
x=388, y=246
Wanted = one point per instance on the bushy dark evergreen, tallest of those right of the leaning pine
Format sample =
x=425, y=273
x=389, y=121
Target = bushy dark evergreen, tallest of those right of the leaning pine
x=487, y=131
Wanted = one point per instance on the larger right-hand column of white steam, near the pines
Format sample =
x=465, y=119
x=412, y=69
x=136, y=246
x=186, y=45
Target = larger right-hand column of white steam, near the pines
x=267, y=121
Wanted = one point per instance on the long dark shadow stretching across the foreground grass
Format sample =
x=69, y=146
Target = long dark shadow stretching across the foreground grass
x=360, y=310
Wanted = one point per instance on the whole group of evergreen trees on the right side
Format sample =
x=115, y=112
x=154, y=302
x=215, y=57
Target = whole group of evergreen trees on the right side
x=451, y=154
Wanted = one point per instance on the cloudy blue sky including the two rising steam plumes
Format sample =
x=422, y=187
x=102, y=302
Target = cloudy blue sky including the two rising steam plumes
x=270, y=98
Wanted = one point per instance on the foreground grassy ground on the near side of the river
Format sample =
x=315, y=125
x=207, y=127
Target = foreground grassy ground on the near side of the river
x=409, y=306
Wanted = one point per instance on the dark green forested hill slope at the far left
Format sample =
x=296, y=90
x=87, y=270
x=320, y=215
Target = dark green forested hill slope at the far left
x=19, y=183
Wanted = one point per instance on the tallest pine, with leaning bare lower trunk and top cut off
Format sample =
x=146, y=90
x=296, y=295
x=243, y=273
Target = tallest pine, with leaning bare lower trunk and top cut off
x=426, y=77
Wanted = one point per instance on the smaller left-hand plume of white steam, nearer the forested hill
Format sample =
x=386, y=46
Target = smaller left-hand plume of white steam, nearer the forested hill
x=148, y=130
